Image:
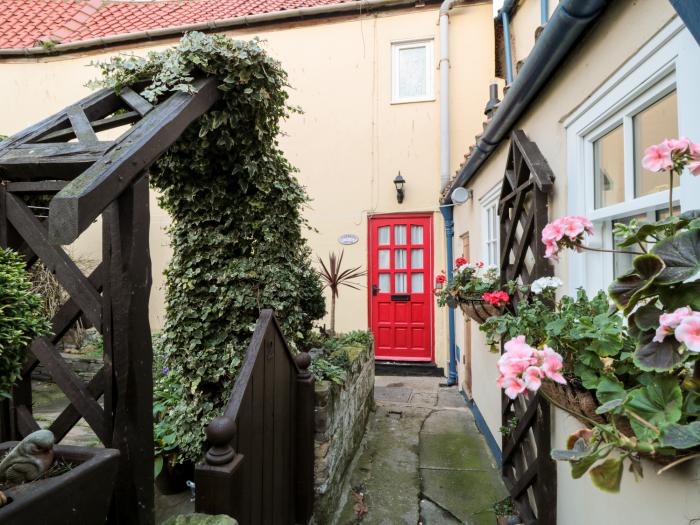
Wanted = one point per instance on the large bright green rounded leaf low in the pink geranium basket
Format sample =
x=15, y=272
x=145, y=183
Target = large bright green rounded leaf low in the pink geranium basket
x=659, y=403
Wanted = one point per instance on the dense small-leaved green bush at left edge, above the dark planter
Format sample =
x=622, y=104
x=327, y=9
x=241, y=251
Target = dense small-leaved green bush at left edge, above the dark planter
x=21, y=318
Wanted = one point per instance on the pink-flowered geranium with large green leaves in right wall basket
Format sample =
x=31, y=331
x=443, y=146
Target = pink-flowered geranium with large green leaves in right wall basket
x=645, y=374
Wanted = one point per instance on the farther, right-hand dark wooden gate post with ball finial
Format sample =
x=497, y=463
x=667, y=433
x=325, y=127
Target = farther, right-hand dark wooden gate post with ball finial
x=305, y=440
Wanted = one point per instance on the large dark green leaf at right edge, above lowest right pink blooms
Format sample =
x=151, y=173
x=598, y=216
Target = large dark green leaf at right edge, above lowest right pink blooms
x=681, y=257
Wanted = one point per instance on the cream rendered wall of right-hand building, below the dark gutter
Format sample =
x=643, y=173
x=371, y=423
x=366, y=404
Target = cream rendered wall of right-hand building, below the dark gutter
x=624, y=28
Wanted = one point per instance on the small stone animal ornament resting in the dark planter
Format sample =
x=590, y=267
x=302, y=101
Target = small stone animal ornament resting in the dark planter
x=29, y=459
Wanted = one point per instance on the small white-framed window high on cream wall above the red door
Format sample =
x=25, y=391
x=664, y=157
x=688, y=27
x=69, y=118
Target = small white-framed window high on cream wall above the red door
x=412, y=71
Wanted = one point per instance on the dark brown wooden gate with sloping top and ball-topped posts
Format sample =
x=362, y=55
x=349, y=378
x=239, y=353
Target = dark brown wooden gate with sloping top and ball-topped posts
x=260, y=468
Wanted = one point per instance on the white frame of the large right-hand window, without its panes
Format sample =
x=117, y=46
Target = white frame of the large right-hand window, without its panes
x=666, y=62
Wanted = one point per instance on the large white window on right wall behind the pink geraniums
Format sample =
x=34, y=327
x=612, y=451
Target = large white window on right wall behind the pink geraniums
x=650, y=98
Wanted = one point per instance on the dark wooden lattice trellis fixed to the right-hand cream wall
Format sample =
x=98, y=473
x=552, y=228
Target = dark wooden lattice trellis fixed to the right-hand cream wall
x=528, y=470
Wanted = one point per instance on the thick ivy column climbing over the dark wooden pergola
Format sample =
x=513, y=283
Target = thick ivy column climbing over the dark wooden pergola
x=237, y=230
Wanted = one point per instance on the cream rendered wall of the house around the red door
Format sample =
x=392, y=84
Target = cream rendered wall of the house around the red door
x=349, y=143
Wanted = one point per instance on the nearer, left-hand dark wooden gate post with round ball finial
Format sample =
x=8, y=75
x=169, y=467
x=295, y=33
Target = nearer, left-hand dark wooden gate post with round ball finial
x=214, y=477
